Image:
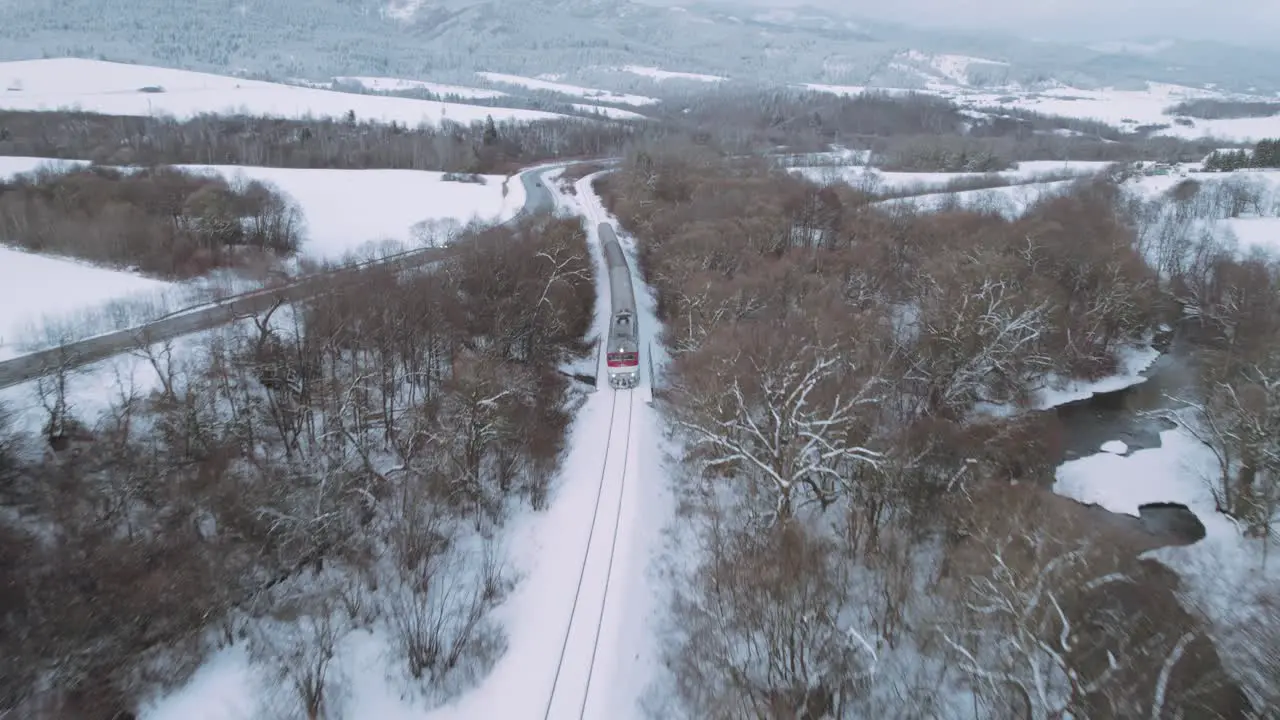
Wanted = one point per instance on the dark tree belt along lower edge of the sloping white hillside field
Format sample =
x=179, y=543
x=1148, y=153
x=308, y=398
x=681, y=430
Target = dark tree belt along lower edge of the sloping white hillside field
x=348, y=144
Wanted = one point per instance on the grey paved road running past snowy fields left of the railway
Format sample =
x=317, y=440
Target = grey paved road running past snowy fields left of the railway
x=25, y=368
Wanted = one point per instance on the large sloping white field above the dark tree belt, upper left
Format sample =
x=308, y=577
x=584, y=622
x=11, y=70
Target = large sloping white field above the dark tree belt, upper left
x=115, y=89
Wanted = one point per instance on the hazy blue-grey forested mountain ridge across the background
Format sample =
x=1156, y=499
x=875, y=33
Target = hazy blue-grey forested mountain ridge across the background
x=447, y=40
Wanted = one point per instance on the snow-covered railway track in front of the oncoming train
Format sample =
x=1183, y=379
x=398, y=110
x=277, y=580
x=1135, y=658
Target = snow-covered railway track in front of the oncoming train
x=572, y=687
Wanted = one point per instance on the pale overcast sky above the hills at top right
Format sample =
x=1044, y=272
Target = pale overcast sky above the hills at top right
x=1249, y=21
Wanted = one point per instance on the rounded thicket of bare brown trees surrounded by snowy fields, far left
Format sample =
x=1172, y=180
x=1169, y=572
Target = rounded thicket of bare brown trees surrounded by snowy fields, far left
x=162, y=221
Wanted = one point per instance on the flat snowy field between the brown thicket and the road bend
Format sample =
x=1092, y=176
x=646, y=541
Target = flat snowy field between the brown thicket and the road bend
x=346, y=211
